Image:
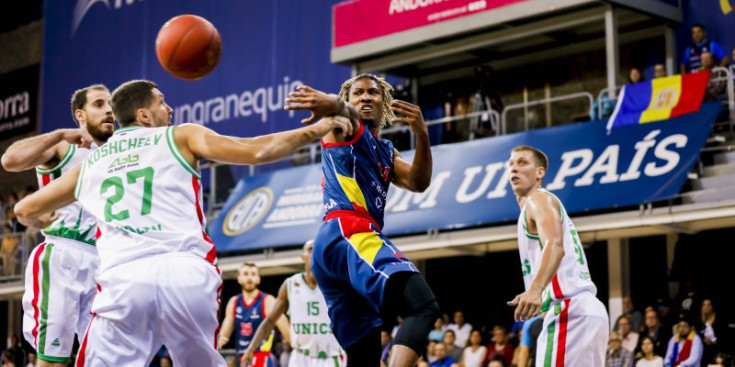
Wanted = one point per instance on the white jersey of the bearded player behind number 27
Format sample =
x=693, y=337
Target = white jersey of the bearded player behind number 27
x=74, y=222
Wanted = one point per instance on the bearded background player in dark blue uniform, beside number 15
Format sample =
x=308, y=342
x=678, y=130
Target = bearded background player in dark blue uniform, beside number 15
x=244, y=314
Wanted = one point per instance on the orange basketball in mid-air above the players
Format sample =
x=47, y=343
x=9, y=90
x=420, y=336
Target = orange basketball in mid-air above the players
x=188, y=47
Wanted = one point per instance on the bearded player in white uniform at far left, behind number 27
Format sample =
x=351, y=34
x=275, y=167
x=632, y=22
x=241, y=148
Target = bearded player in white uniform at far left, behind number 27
x=57, y=298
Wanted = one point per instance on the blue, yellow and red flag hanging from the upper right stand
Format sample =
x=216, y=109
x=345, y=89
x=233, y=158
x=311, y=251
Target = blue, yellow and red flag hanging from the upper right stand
x=659, y=99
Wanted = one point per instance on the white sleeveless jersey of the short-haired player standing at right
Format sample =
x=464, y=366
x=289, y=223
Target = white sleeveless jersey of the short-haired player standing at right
x=573, y=275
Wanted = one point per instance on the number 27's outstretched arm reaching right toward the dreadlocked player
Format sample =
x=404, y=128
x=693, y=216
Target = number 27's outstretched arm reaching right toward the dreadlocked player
x=198, y=142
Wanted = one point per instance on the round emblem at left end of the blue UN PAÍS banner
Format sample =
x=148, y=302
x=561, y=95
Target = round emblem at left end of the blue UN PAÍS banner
x=248, y=212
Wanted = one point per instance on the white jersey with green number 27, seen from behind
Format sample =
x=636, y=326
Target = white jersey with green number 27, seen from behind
x=146, y=198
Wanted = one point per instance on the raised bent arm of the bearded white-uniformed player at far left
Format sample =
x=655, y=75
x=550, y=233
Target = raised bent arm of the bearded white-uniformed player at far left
x=42, y=149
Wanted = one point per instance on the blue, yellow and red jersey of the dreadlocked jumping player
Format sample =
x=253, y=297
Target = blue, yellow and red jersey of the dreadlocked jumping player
x=357, y=174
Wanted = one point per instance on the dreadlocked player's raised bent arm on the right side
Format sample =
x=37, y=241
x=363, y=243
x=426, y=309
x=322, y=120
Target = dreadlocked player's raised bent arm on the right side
x=414, y=176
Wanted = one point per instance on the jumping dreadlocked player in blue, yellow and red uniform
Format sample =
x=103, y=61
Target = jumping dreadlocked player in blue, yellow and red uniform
x=363, y=276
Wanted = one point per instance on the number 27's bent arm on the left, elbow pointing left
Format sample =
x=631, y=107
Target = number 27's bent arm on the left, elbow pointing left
x=34, y=209
